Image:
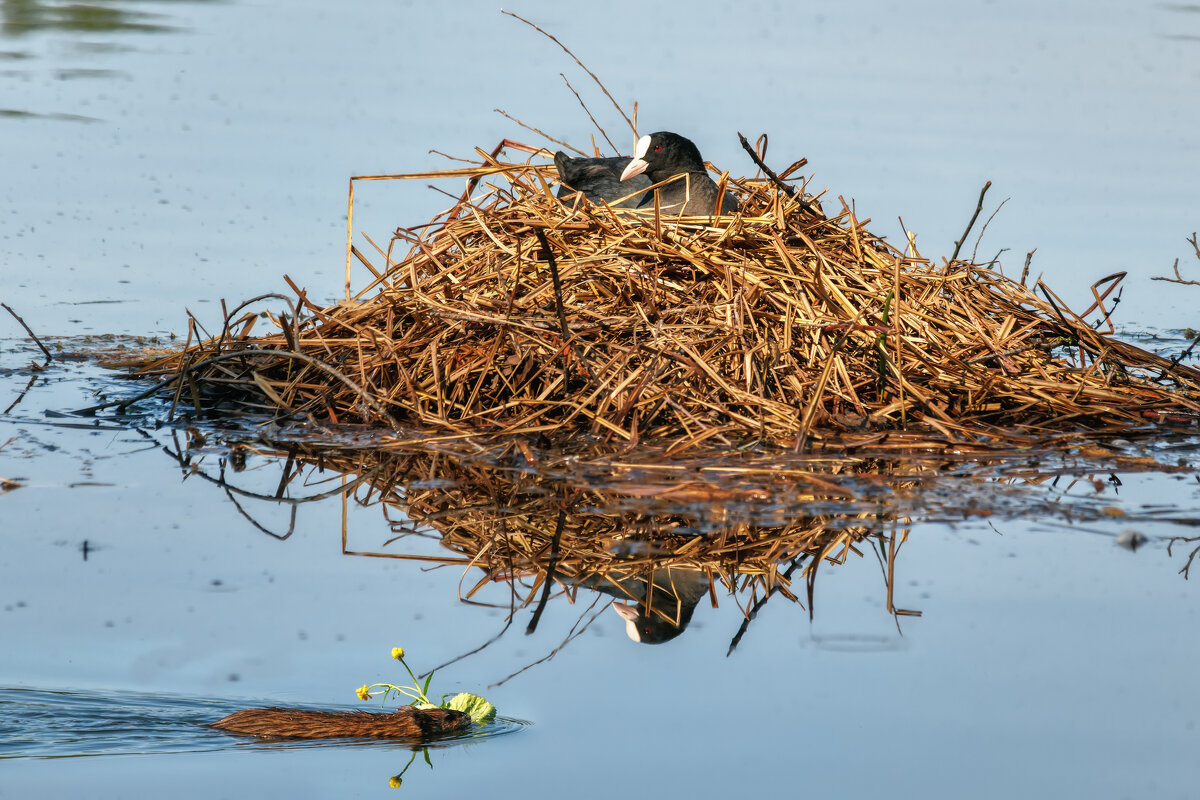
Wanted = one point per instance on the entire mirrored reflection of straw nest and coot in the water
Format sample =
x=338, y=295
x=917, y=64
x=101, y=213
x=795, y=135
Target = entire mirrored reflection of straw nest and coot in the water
x=656, y=537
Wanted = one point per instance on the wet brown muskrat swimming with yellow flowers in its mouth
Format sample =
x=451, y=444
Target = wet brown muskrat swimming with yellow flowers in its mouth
x=406, y=723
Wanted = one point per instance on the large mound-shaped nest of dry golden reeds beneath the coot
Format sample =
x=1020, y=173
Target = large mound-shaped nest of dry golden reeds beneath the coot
x=519, y=314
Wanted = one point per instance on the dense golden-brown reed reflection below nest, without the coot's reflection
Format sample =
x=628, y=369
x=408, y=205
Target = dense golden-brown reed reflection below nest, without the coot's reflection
x=511, y=531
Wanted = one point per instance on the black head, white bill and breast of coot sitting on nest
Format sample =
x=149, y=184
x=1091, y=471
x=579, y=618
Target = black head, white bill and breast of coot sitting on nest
x=667, y=155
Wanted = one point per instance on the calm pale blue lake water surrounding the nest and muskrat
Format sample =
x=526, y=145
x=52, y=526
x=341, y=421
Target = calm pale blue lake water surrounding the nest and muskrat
x=163, y=157
